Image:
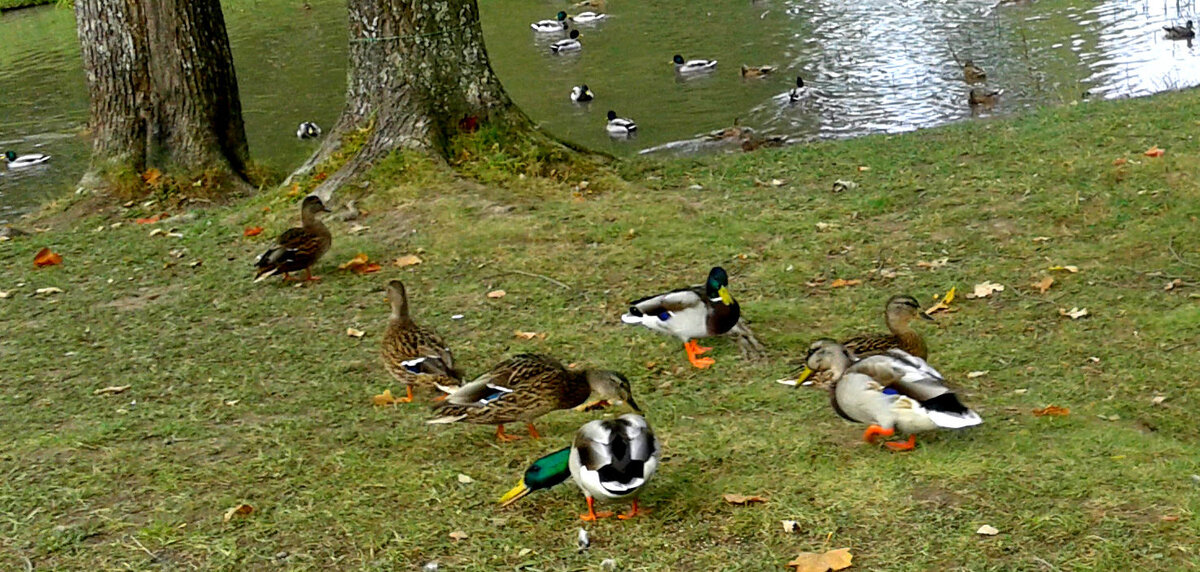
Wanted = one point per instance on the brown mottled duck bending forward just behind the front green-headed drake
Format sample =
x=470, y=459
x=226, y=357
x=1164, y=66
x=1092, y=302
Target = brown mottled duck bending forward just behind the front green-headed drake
x=527, y=387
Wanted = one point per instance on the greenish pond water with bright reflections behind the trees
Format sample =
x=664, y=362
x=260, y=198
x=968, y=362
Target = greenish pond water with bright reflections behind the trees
x=873, y=67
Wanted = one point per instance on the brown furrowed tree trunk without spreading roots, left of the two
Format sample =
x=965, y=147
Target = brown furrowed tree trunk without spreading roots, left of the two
x=163, y=88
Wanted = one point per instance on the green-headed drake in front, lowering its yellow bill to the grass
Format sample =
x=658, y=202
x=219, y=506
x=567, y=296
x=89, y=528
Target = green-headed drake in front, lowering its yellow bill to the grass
x=610, y=460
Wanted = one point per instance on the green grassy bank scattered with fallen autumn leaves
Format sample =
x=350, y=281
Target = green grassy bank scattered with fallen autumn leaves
x=254, y=394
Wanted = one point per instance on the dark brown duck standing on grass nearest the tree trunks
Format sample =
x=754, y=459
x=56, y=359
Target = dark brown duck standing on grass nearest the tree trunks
x=298, y=249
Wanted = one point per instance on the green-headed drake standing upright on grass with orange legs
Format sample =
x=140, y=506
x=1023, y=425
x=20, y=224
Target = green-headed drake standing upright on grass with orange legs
x=691, y=314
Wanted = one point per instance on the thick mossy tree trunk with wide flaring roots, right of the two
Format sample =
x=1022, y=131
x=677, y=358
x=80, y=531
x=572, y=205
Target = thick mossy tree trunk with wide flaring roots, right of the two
x=418, y=75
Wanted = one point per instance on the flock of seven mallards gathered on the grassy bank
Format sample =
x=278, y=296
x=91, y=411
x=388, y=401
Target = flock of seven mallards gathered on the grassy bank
x=881, y=381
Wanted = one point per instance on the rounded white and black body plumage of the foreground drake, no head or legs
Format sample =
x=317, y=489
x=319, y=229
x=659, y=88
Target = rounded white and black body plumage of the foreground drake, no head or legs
x=616, y=457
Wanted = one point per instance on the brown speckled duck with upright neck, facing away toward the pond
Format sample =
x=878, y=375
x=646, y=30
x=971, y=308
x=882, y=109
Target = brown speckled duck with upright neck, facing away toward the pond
x=409, y=351
